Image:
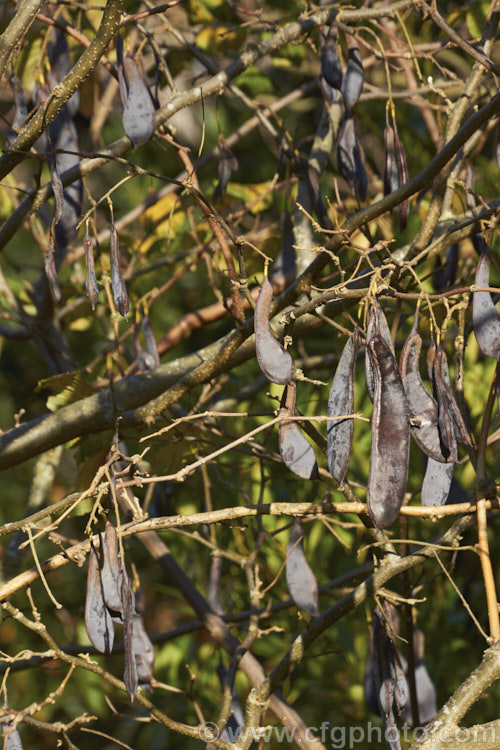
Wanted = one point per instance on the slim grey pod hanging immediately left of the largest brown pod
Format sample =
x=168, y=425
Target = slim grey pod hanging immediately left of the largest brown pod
x=341, y=401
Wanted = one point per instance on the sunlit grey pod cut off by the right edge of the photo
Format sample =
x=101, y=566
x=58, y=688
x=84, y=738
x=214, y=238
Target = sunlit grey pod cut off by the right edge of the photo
x=485, y=318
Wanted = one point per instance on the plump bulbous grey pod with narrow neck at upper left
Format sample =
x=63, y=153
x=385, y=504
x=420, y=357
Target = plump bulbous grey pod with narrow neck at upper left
x=138, y=109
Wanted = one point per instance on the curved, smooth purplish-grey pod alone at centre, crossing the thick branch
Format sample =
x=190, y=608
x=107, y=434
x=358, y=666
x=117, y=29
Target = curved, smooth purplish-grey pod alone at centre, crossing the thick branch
x=274, y=361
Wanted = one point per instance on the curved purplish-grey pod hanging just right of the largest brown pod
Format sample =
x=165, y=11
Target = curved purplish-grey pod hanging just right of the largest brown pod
x=423, y=408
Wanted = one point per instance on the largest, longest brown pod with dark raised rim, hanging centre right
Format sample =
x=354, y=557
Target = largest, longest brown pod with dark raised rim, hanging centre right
x=390, y=437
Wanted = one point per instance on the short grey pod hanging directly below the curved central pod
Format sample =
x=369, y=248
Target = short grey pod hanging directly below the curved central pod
x=296, y=451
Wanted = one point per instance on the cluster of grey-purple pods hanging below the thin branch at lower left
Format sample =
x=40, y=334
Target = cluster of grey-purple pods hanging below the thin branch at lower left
x=111, y=599
